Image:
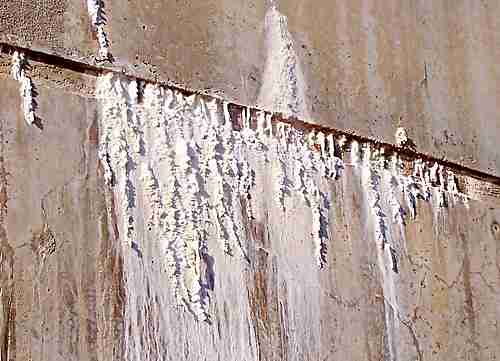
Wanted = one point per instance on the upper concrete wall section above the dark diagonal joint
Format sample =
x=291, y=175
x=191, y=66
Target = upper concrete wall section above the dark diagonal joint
x=430, y=66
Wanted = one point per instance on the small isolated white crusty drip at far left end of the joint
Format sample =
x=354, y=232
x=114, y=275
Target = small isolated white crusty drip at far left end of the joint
x=18, y=72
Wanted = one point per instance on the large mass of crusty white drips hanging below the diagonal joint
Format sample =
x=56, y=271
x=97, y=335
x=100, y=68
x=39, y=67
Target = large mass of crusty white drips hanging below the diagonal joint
x=186, y=169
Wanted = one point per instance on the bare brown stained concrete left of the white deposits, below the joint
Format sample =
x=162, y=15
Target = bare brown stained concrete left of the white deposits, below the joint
x=66, y=270
